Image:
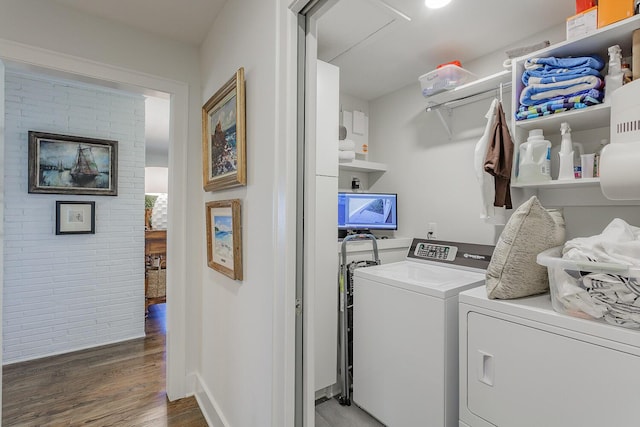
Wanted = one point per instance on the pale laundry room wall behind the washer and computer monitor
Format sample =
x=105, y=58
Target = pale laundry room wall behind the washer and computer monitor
x=433, y=174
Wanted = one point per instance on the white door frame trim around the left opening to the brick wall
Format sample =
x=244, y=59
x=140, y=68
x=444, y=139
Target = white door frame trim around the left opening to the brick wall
x=107, y=75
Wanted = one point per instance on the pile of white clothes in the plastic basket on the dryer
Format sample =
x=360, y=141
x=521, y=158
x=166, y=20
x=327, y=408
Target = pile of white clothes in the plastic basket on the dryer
x=608, y=292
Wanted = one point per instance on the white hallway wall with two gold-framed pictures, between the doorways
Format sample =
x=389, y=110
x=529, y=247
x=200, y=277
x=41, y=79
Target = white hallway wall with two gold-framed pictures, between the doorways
x=237, y=375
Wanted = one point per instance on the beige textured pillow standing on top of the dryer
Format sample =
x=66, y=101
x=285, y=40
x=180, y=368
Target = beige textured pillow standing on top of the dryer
x=513, y=271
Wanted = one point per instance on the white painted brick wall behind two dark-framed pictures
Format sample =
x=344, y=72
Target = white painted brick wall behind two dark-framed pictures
x=64, y=293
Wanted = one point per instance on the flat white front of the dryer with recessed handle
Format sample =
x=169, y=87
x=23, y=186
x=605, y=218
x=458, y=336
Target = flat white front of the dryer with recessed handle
x=522, y=376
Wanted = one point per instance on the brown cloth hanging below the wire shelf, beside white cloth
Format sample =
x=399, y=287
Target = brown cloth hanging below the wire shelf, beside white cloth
x=499, y=160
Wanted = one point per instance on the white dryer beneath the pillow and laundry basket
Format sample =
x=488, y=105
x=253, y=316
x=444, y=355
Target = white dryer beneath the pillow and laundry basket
x=522, y=364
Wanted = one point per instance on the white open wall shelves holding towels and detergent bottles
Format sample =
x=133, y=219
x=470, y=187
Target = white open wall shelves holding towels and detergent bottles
x=589, y=119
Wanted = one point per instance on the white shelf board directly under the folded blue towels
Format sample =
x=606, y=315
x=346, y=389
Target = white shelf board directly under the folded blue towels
x=594, y=116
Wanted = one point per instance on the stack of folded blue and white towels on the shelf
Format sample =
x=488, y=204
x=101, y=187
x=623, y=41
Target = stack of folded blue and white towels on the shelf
x=553, y=85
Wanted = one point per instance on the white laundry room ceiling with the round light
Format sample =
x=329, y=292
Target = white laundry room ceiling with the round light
x=383, y=45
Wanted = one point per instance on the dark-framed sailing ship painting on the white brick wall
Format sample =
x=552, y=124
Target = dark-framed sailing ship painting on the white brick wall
x=65, y=164
